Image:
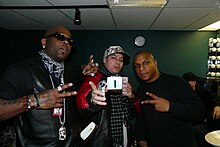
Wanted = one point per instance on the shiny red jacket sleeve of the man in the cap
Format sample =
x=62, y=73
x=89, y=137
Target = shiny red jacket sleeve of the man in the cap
x=83, y=94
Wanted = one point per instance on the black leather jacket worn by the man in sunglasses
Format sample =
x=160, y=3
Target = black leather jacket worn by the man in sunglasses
x=39, y=127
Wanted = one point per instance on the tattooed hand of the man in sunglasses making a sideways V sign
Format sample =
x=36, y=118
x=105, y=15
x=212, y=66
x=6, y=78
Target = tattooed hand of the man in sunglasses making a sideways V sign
x=54, y=97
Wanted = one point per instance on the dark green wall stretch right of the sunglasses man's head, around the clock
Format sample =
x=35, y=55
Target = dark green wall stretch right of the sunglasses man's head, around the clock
x=176, y=52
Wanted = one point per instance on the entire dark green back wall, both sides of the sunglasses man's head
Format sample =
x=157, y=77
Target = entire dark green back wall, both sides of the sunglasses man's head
x=175, y=51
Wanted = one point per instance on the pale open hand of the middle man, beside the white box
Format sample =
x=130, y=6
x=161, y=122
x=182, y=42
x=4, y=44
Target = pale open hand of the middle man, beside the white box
x=98, y=97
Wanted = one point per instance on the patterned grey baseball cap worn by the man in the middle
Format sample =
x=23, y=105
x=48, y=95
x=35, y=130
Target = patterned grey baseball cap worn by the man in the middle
x=117, y=49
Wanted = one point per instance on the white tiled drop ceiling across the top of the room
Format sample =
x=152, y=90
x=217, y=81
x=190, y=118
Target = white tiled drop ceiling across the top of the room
x=175, y=15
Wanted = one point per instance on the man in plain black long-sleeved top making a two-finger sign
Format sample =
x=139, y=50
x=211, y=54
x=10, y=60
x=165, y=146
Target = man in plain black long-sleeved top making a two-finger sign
x=168, y=106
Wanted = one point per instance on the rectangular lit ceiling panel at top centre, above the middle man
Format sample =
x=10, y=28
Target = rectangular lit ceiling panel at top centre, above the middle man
x=137, y=3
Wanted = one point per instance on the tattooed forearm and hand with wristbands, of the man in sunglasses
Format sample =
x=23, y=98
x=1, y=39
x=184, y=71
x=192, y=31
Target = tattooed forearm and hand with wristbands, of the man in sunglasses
x=48, y=99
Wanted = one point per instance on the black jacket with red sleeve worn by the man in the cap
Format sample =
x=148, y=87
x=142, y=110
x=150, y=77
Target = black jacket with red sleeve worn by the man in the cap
x=101, y=137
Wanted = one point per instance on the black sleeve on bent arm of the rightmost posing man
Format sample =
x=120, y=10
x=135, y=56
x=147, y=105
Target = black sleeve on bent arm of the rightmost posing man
x=186, y=105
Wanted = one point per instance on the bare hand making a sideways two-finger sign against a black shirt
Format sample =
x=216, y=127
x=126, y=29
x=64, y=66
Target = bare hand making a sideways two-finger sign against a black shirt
x=160, y=104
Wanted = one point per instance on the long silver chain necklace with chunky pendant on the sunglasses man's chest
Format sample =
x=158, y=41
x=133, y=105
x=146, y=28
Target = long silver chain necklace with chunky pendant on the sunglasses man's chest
x=62, y=129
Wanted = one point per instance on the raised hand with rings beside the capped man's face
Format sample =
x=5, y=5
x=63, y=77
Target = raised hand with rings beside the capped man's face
x=91, y=68
